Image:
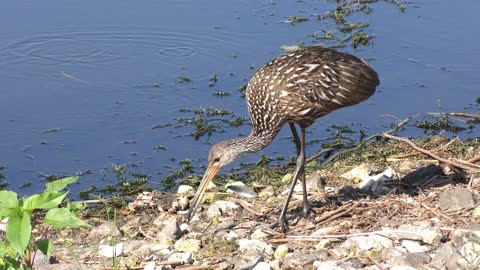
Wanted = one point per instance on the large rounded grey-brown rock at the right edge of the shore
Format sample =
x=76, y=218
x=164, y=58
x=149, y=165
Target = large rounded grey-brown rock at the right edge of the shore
x=454, y=200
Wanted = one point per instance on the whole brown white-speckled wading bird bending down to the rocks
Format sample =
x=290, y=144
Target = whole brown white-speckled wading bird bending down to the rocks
x=296, y=88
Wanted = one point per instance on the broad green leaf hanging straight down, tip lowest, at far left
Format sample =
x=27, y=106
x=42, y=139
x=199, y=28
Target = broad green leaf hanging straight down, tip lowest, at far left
x=19, y=230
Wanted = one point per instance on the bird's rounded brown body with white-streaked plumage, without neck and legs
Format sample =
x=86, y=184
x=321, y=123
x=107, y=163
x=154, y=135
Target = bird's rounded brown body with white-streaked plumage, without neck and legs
x=304, y=85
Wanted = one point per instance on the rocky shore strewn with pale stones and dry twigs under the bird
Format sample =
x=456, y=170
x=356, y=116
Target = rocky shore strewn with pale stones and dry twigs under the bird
x=382, y=212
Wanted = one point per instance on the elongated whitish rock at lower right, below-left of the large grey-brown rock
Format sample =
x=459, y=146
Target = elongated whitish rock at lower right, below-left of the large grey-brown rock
x=428, y=235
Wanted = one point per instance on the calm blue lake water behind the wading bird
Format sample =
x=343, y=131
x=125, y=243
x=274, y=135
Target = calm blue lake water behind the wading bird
x=83, y=83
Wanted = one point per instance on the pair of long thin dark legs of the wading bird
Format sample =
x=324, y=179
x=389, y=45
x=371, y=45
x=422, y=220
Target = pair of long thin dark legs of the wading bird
x=299, y=171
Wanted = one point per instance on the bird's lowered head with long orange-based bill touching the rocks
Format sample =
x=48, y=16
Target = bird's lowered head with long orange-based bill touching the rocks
x=220, y=155
